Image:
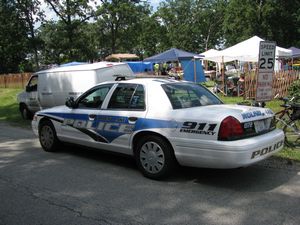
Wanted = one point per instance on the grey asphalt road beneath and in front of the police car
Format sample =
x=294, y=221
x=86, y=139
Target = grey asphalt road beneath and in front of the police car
x=80, y=186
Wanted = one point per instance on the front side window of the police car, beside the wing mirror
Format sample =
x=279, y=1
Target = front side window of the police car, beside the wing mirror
x=94, y=98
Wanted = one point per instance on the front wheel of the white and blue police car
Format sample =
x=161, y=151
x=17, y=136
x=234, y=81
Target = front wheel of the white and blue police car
x=47, y=136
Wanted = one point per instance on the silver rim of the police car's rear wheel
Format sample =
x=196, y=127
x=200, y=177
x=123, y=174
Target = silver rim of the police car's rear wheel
x=152, y=157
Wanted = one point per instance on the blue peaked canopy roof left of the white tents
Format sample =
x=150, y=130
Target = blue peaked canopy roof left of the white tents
x=172, y=54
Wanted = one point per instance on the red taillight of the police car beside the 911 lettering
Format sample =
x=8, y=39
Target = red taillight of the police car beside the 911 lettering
x=230, y=129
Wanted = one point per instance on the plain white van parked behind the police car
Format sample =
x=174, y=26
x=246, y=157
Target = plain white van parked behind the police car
x=52, y=87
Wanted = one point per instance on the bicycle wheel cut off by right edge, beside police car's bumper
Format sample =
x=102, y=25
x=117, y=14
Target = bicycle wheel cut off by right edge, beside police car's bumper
x=292, y=134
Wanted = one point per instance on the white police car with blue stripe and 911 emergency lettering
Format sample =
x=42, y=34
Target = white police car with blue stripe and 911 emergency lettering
x=162, y=123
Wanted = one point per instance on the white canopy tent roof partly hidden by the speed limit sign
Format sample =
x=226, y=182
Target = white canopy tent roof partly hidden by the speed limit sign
x=247, y=51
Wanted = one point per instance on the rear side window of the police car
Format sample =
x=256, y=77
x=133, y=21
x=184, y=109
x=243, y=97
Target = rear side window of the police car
x=128, y=96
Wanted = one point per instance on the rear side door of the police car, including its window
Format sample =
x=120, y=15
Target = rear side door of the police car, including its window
x=123, y=114
